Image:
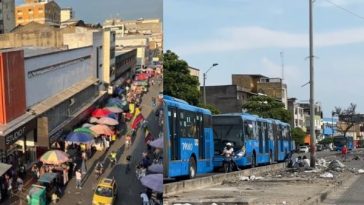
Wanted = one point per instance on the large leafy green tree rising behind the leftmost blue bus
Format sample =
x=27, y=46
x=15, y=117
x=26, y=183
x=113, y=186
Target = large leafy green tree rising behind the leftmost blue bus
x=177, y=81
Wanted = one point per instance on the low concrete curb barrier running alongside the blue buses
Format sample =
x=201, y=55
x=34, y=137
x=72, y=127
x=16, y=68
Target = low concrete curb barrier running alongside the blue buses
x=197, y=183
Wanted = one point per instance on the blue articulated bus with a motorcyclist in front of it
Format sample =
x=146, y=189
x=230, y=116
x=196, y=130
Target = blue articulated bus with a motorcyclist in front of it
x=256, y=140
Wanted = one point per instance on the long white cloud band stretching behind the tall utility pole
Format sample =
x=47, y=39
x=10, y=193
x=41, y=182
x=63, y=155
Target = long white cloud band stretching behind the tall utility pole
x=246, y=38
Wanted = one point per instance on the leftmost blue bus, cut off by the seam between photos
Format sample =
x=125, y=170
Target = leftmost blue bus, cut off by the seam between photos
x=188, y=139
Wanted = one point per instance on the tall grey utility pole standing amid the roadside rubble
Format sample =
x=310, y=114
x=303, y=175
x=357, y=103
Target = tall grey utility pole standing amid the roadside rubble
x=312, y=100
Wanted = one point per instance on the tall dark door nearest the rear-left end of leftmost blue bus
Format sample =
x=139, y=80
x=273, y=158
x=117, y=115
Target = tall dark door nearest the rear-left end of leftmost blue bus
x=173, y=136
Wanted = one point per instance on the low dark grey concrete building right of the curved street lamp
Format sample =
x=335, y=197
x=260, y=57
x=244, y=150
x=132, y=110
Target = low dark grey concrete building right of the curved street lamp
x=227, y=98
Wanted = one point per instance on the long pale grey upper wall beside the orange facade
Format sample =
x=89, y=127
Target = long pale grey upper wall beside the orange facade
x=65, y=68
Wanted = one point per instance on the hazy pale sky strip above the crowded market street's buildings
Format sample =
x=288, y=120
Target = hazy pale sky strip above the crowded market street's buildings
x=95, y=11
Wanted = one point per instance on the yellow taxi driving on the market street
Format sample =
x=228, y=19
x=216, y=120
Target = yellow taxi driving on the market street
x=105, y=192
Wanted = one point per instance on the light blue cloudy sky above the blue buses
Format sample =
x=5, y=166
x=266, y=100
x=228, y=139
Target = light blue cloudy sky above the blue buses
x=246, y=37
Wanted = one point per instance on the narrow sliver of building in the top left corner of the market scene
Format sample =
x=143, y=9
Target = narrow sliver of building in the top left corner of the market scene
x=7, y=16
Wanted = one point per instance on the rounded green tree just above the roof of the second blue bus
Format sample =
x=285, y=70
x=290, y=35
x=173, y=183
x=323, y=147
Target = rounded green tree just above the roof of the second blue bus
x=267, y=107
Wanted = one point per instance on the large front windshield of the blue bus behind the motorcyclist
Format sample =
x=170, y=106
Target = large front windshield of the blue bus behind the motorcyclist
x=227, y=133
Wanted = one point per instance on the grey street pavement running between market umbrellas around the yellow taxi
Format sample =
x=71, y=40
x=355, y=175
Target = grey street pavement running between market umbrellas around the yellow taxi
x=129, y=186
